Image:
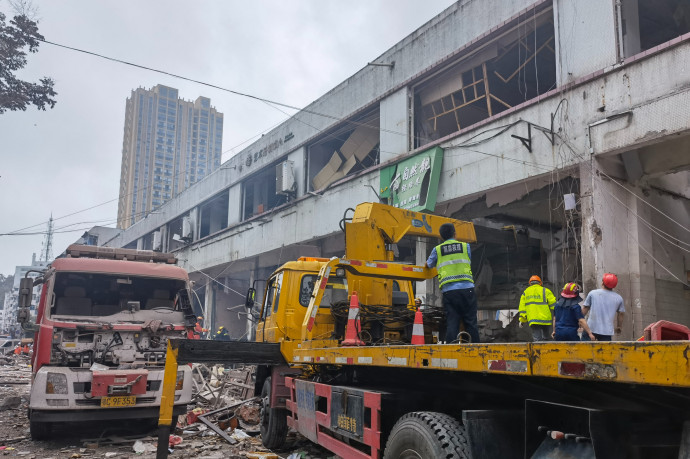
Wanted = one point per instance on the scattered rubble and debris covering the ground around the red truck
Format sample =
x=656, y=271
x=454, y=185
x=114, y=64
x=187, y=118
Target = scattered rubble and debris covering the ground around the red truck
x=229, y=392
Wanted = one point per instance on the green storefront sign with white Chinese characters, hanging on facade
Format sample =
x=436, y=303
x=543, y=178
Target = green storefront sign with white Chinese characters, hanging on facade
x=413, y=183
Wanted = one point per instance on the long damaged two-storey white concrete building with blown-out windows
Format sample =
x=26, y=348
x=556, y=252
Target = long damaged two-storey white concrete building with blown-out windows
x=564, y=135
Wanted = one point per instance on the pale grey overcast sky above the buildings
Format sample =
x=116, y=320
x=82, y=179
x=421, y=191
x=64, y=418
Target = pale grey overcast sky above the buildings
x=65, y=160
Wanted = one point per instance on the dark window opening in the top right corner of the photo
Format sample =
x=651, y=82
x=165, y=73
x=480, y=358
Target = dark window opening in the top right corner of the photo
x=649, y=23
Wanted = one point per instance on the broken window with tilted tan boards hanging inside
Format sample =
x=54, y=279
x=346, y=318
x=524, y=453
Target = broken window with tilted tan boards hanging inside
x=350, y=148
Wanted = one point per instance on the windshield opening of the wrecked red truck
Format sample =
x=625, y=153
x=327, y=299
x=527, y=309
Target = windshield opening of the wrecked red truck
x=87, y=294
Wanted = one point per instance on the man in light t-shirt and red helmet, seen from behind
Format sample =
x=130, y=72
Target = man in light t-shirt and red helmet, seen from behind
x=604, y=306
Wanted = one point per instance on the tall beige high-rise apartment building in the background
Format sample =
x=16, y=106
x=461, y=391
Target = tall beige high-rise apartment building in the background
x=169, y=144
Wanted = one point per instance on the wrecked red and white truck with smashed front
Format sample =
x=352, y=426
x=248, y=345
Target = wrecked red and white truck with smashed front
x=101, y=331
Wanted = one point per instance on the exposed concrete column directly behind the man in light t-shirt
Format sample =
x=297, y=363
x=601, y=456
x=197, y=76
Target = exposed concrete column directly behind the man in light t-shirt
x=614, y=240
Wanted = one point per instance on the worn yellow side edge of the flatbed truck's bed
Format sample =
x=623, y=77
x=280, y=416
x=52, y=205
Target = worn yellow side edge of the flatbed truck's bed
x=661, y=363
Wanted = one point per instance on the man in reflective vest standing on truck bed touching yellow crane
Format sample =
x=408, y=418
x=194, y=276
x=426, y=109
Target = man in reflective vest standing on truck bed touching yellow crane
x=456, y=282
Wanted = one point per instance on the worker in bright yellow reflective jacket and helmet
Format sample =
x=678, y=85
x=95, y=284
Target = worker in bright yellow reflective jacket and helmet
x=536, y=309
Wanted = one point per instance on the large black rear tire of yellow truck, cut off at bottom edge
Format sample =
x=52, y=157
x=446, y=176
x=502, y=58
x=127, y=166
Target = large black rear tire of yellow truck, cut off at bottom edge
x=424, y=434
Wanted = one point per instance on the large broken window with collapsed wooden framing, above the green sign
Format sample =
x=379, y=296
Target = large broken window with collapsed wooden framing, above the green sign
x=515, y=67
